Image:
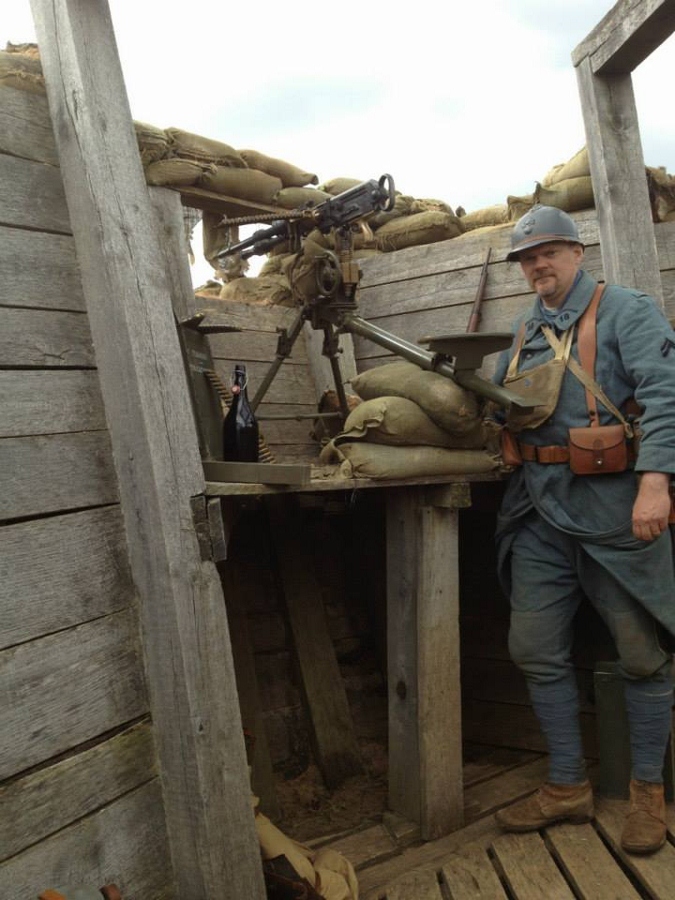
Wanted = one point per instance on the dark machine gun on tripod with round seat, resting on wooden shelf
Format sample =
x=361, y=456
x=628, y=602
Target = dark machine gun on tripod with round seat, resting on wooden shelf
x=324, y=284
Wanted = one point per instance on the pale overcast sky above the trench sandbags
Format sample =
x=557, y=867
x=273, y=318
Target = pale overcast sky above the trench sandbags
x=465, y=103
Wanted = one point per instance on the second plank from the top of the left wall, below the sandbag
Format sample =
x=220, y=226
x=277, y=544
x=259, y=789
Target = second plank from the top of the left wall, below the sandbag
x=32, y=196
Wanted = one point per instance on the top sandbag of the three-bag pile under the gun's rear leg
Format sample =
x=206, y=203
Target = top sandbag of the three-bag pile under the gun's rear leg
x=447, y=404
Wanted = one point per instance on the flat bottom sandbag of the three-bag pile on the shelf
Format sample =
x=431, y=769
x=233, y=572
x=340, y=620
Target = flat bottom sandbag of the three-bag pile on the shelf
x=360, y=459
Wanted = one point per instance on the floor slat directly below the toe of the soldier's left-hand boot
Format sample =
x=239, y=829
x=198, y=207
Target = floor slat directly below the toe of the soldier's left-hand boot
x=527, y=868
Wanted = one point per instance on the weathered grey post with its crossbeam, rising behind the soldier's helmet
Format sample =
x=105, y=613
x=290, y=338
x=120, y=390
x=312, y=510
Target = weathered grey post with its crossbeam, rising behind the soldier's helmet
x=604, y=60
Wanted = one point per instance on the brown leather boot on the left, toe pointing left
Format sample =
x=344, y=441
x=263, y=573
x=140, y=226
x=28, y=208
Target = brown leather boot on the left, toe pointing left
x=551, y=803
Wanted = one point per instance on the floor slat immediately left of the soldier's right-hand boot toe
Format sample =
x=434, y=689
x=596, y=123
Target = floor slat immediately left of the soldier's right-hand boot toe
x=587, y=864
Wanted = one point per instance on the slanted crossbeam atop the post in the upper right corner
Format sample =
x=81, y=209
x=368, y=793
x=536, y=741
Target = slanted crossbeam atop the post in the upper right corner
x=626, y=36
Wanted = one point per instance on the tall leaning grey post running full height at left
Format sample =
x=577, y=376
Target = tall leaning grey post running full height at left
x=202, y=760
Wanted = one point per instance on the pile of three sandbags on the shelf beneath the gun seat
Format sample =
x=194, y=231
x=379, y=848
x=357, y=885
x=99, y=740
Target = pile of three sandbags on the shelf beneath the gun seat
x=412, y=423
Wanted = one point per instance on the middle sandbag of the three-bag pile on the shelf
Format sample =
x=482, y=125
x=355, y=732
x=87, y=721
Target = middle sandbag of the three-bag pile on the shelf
x=401, y=422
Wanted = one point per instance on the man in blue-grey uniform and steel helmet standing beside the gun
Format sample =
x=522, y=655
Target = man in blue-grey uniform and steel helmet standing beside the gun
x=586, y=514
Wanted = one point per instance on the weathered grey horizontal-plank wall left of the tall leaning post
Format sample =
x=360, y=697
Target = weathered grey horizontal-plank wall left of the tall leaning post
x=80, y=800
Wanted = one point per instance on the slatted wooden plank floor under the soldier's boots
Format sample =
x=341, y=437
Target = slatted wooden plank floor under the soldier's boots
x=481, y=862
